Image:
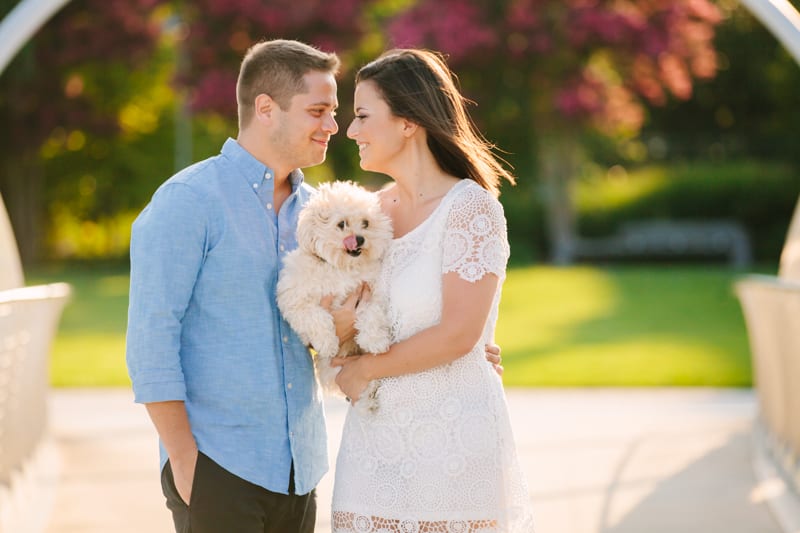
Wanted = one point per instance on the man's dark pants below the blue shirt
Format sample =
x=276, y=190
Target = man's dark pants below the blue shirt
x=224, y=503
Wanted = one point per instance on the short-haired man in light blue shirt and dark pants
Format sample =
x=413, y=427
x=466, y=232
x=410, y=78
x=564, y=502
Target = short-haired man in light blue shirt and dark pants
x=228, y=385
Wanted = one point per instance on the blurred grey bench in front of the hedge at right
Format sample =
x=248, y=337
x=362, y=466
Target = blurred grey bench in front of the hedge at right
x=672, y=238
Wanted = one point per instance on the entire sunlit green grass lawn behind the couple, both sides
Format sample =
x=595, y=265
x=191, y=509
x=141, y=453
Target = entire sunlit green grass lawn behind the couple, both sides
x=577, y=326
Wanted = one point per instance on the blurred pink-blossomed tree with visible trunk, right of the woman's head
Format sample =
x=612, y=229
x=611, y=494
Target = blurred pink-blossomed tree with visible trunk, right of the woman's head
x=556, y=68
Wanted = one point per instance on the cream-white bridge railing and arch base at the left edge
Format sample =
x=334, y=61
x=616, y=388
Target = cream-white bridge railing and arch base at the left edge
x=28, y=321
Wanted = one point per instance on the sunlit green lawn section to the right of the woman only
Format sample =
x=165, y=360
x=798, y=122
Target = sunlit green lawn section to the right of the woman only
x=623, y=326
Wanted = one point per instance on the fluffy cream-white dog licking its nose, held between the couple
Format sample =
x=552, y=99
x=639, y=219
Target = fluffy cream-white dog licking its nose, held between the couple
x=342, y=235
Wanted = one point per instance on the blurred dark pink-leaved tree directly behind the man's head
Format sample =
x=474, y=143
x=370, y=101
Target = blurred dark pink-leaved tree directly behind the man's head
x=220, y=31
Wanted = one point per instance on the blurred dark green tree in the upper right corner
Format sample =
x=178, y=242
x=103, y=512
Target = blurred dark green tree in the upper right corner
x=749, y=110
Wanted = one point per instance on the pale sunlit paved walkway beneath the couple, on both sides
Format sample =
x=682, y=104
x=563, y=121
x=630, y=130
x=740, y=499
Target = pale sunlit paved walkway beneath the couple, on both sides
x=606, y=460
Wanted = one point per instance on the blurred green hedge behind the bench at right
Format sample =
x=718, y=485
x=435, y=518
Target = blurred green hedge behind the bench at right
x=760, y=195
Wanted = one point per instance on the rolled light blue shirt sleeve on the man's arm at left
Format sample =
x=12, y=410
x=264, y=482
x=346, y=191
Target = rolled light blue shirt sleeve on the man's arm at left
x=168, y=243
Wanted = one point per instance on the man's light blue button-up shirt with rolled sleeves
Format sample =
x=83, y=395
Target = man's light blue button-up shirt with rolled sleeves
x=204, y=326
